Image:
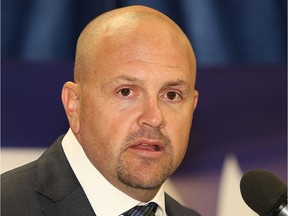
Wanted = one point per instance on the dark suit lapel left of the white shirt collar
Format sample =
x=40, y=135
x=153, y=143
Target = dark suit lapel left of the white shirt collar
x=60, y=191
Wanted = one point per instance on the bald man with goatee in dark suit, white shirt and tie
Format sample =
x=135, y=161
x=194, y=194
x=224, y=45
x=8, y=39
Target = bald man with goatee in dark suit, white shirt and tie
x=130, y=112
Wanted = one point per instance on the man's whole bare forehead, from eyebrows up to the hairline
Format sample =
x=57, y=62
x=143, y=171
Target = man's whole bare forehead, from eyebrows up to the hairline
x=142, y=48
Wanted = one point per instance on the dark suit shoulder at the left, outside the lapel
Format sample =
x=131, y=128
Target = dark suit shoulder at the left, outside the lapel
x=20, y=186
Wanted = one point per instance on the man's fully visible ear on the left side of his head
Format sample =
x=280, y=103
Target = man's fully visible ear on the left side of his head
x=70, y=100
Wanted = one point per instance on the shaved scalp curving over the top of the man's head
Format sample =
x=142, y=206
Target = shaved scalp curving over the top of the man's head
x=119, y=25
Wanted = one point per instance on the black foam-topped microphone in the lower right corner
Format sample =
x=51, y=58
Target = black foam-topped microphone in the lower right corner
x=264, y=193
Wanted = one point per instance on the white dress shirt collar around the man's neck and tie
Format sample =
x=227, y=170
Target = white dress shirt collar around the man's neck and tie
x=105, y=199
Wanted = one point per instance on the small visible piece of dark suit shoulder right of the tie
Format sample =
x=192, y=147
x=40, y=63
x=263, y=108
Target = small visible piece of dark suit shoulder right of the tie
x=175, y=208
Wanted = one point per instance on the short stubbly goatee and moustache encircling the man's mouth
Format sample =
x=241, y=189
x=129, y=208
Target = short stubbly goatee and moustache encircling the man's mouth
x=142, y=172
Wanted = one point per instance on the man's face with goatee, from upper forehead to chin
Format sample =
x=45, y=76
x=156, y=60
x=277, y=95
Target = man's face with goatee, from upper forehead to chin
x=136, y=107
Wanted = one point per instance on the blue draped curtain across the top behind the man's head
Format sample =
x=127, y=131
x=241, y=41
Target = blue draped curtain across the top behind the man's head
x=222, y=32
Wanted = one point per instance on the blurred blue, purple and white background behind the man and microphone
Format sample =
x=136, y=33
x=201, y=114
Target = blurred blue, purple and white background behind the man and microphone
x=241, y=119
